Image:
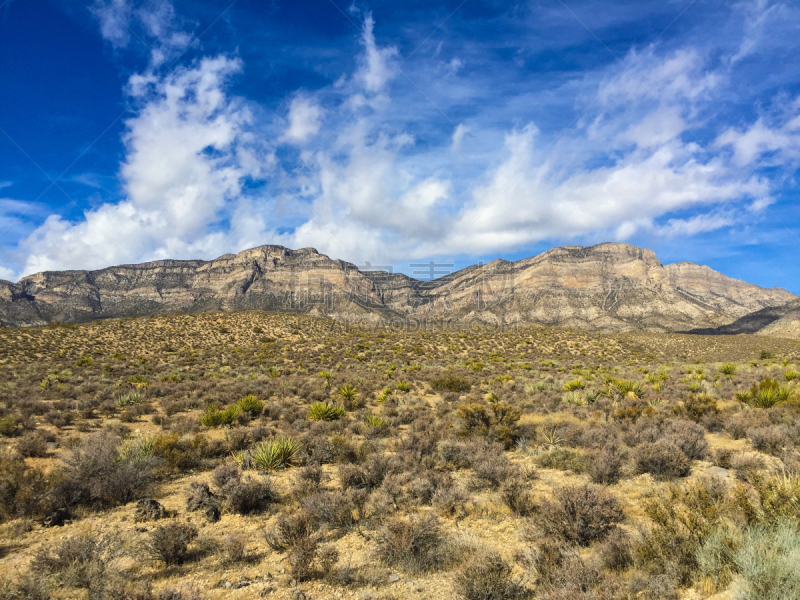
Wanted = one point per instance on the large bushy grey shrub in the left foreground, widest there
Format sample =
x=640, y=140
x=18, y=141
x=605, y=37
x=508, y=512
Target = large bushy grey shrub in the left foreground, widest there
x=98, y=473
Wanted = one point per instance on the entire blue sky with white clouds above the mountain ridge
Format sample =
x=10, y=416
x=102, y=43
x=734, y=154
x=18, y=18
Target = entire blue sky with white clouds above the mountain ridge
x=398, y=133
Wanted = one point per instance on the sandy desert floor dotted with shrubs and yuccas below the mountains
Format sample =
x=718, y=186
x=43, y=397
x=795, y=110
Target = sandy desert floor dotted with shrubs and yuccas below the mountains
x=253, y=454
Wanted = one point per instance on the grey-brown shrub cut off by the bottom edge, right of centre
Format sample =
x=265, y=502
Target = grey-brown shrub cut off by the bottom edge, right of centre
x=488, y=577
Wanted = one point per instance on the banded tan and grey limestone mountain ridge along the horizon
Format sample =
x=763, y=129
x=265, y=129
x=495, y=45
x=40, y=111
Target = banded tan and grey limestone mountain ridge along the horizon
x=611, y=287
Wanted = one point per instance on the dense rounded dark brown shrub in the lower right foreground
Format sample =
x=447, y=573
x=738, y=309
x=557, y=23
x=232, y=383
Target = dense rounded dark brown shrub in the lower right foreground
x=580, y=514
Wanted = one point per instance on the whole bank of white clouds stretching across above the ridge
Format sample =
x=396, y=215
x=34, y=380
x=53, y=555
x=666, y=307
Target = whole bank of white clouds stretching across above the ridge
x=374, y=191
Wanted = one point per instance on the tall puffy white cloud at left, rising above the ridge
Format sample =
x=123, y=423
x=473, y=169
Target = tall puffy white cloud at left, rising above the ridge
x=188, y=151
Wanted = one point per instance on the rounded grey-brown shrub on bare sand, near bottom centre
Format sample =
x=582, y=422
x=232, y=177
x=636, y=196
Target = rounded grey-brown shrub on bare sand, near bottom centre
x=414, y=544
